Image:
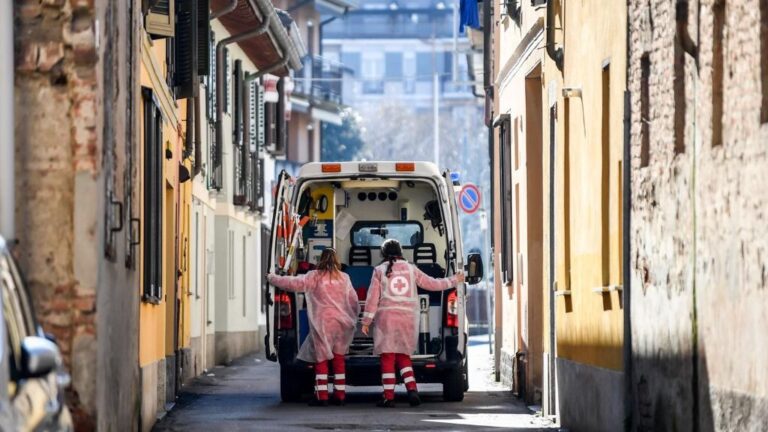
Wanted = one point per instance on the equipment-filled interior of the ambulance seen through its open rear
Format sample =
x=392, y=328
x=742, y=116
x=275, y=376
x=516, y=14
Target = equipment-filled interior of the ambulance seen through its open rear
x=355, y=217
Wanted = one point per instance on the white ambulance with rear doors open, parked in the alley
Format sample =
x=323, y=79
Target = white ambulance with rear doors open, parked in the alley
x=353, y=207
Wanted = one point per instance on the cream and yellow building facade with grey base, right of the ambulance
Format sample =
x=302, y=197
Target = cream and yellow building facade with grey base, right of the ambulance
x=558, y=225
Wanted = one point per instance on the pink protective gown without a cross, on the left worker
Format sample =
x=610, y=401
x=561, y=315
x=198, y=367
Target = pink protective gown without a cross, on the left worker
x=332, y=308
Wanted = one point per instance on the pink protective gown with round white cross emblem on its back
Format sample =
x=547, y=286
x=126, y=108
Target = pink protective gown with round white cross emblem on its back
x=393, y=303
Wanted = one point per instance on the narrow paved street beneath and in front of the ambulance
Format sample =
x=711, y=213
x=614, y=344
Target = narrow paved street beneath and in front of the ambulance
x=245, y=396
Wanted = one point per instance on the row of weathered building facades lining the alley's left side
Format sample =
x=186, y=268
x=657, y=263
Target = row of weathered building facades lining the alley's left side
x=109, y=134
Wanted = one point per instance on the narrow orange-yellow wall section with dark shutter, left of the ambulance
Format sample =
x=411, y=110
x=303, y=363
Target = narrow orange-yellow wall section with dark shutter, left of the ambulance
x=155, y=335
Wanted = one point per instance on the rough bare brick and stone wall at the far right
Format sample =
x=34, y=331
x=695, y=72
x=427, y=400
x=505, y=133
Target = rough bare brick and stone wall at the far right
x=699, y=238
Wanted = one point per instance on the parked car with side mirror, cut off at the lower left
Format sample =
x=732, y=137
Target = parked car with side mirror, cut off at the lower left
x=32, y=378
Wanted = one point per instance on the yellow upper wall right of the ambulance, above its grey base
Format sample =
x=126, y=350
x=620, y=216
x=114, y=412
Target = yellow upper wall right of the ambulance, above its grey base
x=589, y=324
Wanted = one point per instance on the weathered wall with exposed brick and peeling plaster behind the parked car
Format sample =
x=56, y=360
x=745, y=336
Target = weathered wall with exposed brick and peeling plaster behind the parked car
x=60, y=188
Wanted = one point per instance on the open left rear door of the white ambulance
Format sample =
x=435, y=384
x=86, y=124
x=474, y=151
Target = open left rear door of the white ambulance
x=282, y=194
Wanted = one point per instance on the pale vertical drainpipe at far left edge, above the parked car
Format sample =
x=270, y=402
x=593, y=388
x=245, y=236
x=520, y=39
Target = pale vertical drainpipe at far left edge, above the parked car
x=7, y=159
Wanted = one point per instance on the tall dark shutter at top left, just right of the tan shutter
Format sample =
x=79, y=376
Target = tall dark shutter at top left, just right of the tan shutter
x=185, y=54
